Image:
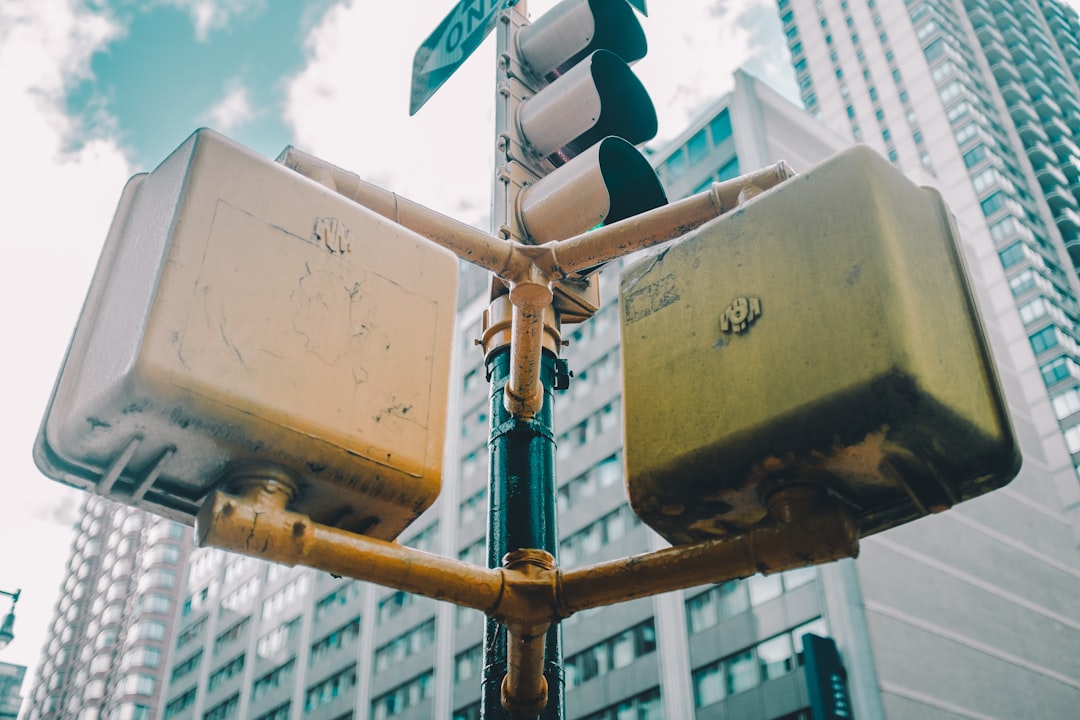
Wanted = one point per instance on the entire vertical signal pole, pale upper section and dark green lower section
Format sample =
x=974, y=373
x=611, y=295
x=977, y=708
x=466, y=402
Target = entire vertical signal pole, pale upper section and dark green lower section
x=522, y=526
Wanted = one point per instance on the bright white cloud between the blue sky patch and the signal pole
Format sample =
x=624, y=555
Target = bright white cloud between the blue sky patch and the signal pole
x=350, y=106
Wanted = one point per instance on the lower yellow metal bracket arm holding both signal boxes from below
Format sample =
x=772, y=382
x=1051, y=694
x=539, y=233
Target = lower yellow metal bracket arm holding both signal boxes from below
x=529, y=593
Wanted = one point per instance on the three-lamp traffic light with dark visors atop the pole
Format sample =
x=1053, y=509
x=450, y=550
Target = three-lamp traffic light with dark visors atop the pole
x=575, y=112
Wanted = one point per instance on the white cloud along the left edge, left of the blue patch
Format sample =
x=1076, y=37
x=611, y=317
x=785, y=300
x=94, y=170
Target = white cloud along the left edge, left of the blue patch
x=59, y=187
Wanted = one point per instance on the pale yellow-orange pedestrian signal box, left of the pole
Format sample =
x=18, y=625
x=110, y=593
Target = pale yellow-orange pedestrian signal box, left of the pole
x=245, y=315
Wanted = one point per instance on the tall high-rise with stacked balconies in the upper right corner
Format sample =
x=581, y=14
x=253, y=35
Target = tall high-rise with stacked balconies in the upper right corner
x=983, y=96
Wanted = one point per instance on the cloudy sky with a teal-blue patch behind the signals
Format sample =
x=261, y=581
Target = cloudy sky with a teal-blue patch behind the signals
x=96, y=91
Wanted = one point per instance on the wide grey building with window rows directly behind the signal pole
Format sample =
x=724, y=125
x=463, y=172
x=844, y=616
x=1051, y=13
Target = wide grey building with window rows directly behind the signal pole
x=970, y=614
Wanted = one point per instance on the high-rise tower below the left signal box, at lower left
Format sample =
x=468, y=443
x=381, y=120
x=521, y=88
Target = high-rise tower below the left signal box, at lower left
x=107, y=649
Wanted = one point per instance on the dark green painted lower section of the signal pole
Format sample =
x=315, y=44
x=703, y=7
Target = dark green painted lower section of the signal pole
x=522, y=515
